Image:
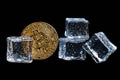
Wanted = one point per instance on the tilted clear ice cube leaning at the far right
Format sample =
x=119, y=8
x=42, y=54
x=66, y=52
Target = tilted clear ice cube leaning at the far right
x=99, y=47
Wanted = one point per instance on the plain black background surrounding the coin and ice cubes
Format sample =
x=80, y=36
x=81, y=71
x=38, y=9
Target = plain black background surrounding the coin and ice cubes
x=103, y=16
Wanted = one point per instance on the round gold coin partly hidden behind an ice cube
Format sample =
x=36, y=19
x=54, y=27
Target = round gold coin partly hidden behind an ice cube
x=45, y=39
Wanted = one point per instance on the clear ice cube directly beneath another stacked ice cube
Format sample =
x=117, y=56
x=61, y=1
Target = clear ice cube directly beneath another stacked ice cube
x=71, y=49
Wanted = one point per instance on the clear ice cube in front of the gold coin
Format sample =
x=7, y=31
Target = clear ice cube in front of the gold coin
x=19, y=49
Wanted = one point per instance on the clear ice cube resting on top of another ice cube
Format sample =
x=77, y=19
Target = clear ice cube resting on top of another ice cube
x=77, y=27
